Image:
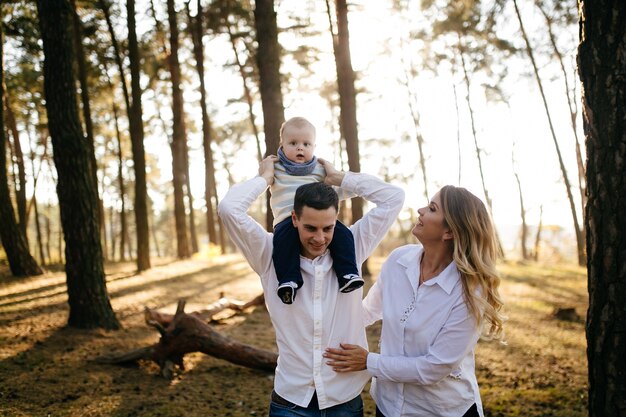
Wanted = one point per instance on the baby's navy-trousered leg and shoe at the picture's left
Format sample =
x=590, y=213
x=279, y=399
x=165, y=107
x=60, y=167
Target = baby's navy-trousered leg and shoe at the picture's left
x=286, y=257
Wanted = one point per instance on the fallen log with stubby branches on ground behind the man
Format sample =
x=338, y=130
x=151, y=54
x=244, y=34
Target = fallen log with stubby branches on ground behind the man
x=187, y=333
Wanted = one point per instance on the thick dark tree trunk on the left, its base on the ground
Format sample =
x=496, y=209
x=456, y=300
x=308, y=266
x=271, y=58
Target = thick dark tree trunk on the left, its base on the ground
x=76, y=187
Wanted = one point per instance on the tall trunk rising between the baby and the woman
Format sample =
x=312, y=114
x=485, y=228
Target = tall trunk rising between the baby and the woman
x=347, y=95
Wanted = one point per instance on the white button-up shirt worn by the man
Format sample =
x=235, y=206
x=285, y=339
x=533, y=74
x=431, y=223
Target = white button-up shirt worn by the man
x=320, y=316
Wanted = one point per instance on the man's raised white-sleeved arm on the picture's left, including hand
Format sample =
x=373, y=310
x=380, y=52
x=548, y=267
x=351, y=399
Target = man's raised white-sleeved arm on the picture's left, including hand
x=249, y=236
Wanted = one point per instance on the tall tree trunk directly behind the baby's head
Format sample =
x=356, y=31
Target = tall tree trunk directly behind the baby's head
x=268, y=61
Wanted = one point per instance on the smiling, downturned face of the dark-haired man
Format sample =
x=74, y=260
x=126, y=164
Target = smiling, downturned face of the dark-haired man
x=316, y=229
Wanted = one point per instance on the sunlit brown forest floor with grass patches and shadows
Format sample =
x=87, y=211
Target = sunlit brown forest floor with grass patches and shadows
x=46, y=369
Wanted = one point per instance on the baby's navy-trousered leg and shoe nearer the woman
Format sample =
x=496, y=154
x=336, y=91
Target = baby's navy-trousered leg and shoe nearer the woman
x=344, y=259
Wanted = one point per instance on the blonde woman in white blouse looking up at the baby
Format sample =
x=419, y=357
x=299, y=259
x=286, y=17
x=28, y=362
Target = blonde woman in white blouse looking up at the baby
x=435, y=300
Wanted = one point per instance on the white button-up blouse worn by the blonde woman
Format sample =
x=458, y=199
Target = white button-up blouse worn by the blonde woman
x=426, y=362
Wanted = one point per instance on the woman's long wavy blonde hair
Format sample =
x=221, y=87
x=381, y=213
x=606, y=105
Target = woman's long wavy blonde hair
x=475, y=253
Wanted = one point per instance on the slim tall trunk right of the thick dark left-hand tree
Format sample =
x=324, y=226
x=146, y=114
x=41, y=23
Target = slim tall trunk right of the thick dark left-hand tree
x=136, y=138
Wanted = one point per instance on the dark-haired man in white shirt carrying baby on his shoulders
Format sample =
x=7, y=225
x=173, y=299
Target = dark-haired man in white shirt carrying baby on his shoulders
x=321, y=316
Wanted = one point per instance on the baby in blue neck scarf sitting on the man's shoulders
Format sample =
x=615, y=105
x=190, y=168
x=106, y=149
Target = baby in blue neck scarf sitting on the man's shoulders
x=299, y=166
